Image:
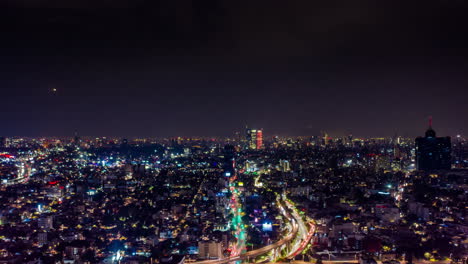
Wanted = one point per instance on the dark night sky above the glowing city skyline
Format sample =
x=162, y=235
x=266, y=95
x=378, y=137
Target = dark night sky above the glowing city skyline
x=208, y=68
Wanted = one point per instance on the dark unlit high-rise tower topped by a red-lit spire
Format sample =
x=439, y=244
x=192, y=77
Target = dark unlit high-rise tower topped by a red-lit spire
x=433, y=153
